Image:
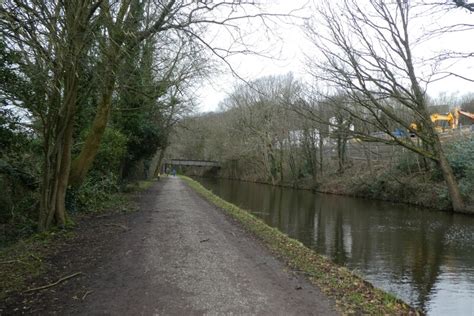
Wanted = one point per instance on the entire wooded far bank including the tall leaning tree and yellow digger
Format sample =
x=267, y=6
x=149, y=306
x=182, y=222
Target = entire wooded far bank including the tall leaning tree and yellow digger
x=364, y=124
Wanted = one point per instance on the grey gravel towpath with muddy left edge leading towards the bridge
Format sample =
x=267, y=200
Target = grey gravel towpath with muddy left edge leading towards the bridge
x=178, y=256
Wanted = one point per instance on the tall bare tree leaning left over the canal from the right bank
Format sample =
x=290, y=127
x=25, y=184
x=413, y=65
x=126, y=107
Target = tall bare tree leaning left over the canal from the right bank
x=367, y=52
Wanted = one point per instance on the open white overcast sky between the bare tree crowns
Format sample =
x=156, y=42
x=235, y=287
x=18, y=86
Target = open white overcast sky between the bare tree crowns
x=287, y=44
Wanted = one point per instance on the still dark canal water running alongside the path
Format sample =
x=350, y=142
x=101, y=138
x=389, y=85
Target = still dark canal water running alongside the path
x=424, y=257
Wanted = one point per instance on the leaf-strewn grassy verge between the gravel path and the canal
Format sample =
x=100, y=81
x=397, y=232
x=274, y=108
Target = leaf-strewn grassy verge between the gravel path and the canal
x=351, y=293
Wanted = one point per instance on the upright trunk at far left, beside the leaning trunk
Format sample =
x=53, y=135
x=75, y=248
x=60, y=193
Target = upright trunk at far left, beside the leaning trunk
x=58, y=129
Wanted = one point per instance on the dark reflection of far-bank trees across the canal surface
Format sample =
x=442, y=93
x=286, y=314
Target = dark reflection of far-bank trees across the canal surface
x=403, y=247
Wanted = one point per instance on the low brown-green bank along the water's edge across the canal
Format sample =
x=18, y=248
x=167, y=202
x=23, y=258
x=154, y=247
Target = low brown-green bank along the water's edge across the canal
x=421, y=189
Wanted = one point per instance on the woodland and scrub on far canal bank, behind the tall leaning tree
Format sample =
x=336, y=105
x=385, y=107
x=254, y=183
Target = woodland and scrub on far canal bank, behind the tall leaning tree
x=284, y=135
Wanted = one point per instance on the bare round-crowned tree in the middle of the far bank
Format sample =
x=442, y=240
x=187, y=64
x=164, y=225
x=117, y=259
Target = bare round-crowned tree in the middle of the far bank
x=261, y=120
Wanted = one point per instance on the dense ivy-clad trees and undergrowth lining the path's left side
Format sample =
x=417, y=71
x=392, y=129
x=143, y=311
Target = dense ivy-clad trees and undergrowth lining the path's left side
x=89, y=92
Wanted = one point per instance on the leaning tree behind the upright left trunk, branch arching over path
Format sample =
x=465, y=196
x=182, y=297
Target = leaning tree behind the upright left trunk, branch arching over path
x=123, y=31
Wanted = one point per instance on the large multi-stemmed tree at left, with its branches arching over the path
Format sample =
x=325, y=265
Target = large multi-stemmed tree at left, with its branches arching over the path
x=58, y=42
